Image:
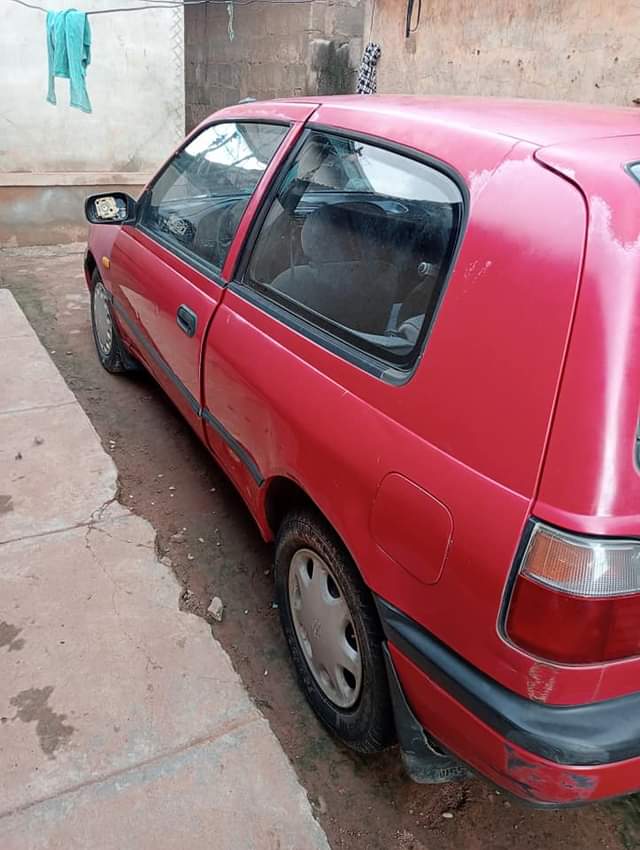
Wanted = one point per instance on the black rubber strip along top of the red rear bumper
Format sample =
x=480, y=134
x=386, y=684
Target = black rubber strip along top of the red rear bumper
x=593, y=734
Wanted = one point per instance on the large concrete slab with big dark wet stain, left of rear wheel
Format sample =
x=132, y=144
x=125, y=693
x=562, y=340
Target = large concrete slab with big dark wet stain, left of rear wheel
x=100, y=671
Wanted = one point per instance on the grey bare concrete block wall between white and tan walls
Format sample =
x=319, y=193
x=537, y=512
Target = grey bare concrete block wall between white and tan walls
x=281, y=50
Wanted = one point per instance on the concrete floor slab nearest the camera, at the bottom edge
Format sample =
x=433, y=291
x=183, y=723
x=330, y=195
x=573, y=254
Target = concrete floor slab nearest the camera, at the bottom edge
x=203, y=797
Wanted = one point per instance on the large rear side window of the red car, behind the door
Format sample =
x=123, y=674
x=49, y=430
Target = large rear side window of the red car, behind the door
x=358, y=242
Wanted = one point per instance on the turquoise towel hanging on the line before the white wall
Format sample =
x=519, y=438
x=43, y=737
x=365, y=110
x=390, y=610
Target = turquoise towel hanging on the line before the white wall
x=69, y=52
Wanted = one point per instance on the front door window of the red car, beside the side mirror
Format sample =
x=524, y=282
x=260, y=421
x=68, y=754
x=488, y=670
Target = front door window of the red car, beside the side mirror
x=197, y=202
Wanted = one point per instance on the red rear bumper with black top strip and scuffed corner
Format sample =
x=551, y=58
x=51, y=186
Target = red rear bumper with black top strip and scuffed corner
x=547, y=755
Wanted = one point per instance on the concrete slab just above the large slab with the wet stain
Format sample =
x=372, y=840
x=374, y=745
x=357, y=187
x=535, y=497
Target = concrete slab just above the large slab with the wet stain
x=54, y=472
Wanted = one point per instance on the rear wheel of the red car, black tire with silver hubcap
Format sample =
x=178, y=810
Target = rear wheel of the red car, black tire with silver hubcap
x=364, y=724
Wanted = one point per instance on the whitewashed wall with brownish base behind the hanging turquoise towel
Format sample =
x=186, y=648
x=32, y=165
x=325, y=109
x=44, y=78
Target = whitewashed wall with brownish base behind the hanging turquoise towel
x=49, y=153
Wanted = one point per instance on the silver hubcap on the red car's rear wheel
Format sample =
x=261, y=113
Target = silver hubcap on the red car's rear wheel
x=324, y=628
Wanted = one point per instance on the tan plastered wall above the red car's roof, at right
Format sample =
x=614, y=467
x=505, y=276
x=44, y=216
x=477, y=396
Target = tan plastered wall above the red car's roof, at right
x=584, y=50
